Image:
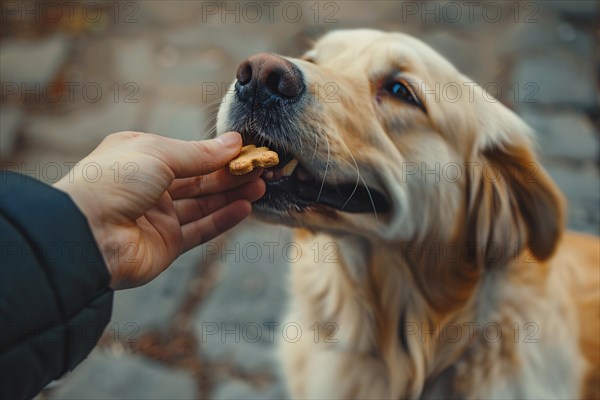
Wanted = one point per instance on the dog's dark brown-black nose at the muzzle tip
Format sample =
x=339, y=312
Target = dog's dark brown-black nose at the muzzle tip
x=263, y=76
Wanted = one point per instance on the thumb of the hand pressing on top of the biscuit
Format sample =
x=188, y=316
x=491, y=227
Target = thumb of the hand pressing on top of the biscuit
x=193, y=158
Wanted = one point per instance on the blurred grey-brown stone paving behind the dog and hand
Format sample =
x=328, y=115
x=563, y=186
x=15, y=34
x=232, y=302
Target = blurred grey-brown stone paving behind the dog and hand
x=73, y=72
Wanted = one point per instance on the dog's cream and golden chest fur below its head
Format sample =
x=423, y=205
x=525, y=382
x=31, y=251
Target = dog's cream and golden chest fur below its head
x=518, y=336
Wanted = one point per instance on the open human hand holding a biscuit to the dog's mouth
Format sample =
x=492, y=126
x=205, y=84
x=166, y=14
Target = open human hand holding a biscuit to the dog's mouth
x=176, y=196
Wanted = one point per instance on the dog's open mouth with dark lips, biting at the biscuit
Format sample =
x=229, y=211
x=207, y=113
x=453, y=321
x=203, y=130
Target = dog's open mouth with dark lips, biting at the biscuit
x=291, y=185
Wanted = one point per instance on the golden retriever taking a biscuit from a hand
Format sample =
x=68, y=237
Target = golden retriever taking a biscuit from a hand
x=453, y=276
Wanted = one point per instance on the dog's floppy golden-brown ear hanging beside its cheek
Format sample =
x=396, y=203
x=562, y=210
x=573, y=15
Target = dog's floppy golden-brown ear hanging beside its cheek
x=513, y=203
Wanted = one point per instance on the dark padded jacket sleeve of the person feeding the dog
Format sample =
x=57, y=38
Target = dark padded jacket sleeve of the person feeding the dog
x=54, y=295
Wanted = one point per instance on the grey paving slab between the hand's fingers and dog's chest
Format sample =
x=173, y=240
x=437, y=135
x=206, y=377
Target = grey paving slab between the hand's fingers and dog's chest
x=238, y=321
